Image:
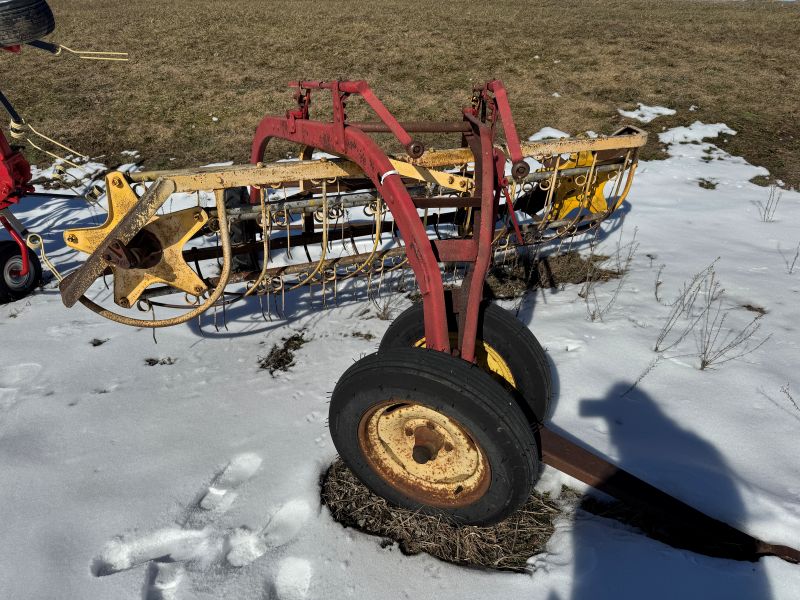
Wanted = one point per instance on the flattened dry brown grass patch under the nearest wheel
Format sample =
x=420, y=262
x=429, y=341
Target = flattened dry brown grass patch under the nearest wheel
x=506, y=545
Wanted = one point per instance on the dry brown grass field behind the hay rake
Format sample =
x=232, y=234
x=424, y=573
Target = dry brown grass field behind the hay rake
x=192, y=60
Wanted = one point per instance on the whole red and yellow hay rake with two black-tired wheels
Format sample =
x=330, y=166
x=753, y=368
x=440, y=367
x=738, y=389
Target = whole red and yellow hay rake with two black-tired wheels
x=447, y=416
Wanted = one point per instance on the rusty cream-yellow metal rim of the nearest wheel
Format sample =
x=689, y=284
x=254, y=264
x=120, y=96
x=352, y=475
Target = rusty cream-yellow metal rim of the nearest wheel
x=423, y=453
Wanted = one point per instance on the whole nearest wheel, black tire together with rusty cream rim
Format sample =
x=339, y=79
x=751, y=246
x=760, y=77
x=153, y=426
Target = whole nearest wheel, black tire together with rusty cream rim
x=433, y=433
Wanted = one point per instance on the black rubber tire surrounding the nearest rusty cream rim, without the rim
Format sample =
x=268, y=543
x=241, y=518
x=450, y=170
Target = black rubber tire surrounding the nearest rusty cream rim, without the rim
x=462, y=392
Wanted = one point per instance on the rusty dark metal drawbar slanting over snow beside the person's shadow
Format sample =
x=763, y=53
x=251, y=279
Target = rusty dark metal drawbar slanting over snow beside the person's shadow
x=693, y=528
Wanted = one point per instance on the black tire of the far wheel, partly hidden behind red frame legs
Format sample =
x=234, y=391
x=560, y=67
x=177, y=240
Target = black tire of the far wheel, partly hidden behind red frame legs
x=511, y=339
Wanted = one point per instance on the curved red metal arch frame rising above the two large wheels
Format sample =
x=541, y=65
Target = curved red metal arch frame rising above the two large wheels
x=349, y=141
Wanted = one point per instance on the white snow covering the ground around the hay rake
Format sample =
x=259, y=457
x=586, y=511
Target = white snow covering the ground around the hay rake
x=107, y=462
